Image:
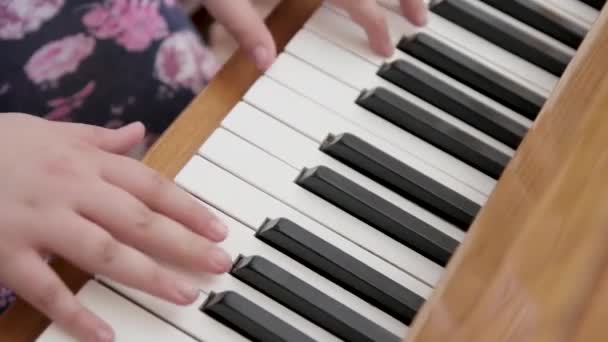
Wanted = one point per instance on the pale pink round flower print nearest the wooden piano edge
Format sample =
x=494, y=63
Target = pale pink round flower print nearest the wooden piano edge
x=183, y=62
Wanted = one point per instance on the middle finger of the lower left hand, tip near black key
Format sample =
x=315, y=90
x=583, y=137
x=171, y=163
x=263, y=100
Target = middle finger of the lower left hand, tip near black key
x=133, y=223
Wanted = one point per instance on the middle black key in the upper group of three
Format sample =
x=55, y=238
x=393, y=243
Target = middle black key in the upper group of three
x=454, y=101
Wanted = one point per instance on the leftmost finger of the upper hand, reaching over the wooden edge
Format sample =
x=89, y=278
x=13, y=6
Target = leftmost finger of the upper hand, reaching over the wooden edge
x=244, y=23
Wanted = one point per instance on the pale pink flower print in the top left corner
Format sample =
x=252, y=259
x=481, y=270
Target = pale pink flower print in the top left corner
x=20, y=17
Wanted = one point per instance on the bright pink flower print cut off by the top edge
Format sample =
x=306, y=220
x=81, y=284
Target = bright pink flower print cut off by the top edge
x=134, y=24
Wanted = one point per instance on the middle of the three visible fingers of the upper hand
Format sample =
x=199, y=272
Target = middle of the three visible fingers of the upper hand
x=370, y=16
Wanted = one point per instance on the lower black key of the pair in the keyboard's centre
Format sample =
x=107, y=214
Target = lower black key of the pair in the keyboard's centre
x=379, y=213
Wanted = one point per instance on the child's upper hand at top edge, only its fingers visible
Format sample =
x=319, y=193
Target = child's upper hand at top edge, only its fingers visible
x=241, y=20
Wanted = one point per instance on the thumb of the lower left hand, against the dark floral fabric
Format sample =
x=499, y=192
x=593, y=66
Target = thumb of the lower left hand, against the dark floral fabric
x=120, y=141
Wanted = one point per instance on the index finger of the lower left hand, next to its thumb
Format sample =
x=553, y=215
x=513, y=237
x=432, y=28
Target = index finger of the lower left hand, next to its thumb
x=160, y=195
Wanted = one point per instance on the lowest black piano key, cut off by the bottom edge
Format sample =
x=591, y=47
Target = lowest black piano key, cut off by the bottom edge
x=249, y=320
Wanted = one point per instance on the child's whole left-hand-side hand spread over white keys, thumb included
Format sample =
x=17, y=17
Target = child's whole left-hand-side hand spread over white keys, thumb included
x=66, y=191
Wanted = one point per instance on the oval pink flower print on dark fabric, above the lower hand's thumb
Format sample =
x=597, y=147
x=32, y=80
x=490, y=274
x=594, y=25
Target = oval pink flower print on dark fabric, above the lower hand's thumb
x=59, y=58
